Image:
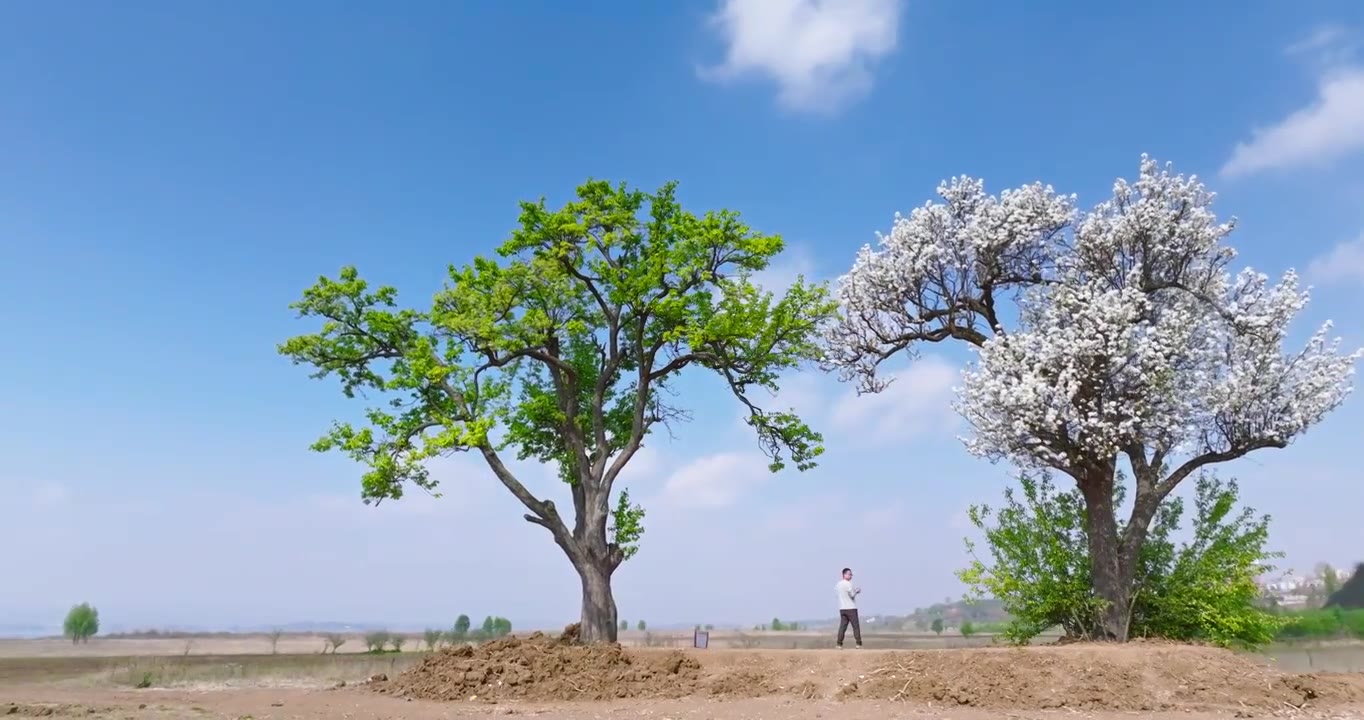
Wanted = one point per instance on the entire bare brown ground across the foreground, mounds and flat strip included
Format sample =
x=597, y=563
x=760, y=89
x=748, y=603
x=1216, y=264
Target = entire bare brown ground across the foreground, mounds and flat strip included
x=557, y=678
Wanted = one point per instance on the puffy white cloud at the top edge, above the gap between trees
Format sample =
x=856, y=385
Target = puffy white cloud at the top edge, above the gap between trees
x=820, y=54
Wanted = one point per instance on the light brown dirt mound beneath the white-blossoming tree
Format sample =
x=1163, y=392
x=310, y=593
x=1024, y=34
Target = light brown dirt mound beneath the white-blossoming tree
x=1138, y=677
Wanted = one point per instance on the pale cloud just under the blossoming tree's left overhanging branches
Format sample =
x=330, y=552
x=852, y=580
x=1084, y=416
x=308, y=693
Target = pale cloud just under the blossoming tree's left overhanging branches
x=919, y=402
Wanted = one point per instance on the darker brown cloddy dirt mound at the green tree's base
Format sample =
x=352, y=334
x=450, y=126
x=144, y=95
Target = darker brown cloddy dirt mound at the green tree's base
x=546, y=669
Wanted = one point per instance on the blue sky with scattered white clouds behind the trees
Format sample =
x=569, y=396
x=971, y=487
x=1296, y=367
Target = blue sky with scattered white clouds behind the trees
x=173, y=177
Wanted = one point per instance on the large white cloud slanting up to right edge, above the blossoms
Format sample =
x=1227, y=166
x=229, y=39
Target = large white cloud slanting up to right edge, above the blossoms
x=1331, y=129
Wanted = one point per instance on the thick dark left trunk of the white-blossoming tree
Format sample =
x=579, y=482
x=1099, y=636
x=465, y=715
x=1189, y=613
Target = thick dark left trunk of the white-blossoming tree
x=1110, y=571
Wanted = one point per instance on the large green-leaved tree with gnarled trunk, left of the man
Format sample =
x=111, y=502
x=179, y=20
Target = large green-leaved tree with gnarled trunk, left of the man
x=565, y=350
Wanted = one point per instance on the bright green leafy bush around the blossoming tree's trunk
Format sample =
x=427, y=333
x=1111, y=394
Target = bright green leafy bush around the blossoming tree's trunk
x=1201, y=591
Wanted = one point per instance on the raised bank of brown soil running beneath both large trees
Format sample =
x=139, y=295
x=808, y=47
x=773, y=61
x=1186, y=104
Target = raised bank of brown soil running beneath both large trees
x=1138, y=677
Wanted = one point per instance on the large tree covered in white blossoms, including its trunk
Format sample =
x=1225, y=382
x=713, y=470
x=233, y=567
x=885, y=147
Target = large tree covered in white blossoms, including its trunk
x=1131, y=342
